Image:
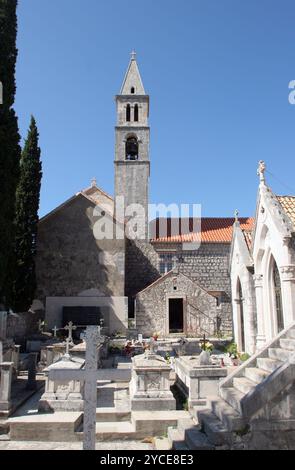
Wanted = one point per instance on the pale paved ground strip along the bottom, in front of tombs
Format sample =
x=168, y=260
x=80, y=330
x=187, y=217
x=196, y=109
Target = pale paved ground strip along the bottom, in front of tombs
x=122, y=445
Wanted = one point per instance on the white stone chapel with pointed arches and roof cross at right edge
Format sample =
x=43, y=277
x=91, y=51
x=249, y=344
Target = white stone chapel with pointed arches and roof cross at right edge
x=262, y=266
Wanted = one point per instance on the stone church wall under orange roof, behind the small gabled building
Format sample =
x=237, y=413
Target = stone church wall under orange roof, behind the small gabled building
x=208, y=266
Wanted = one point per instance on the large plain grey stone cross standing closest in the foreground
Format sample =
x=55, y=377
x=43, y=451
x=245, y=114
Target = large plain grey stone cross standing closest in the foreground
x=90, y=375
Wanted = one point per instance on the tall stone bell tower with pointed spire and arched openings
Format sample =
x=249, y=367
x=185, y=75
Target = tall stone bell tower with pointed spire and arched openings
x=132, y=165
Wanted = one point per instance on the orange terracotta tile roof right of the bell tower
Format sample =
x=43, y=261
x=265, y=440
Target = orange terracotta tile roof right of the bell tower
x=213, y=230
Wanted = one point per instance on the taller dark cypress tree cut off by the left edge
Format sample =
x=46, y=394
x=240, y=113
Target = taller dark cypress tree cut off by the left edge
x=10, y=150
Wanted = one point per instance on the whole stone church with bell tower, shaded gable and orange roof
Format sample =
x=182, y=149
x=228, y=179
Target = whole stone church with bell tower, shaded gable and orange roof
x=168, y=284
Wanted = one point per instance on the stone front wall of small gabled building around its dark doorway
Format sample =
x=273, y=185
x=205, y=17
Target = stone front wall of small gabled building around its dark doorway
x=199, y=307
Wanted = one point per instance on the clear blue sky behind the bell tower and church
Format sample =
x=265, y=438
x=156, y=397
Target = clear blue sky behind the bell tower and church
x=217, y=72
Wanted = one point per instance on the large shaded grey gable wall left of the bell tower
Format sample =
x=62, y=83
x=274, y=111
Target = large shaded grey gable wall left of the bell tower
x=69, y=258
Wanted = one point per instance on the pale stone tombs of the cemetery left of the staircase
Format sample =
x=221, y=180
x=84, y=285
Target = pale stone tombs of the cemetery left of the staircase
x=85, y=391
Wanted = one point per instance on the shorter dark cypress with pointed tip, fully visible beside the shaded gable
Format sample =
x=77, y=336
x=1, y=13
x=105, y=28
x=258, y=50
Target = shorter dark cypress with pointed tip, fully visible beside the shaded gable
x=26, y=222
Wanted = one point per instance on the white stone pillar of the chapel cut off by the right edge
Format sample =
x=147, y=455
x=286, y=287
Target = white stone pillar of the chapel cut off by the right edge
x=288, y=293
